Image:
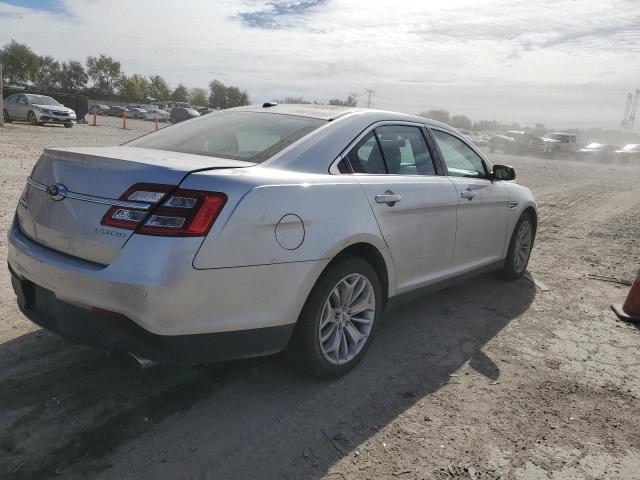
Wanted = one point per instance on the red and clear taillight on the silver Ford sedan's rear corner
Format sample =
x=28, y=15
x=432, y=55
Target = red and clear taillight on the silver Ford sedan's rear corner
x=174, y=212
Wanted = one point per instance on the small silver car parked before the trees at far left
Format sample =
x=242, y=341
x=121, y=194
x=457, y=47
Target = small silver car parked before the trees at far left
x=37, y=110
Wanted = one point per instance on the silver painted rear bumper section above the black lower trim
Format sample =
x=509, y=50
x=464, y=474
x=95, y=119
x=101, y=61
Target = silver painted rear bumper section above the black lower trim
x=153, y=284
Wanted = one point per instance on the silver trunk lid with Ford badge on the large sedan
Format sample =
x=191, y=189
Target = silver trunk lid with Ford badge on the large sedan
x=94, y=179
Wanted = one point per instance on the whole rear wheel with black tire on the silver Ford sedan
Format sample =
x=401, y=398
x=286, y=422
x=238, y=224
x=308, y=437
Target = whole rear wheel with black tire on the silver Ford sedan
x=307, y=349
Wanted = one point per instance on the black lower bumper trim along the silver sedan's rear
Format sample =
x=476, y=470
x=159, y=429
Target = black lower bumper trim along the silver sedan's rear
x=113, y=332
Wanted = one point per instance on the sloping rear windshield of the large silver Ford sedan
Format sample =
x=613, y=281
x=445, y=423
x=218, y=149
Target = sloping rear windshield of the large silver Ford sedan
x=249, y=136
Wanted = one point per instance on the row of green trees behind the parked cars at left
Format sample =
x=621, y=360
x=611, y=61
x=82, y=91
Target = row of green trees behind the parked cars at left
x=102, y=78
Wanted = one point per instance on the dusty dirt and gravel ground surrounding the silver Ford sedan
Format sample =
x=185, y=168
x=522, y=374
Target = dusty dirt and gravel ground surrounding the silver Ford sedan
x=485, y=380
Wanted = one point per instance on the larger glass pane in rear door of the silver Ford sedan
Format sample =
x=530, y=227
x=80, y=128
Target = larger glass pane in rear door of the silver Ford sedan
x=405, y=150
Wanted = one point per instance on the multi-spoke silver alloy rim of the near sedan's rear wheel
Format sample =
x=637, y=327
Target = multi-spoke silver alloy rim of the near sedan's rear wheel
x=347, y=318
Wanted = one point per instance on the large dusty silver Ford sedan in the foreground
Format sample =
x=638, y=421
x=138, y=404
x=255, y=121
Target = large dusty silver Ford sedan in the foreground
x=258, y=229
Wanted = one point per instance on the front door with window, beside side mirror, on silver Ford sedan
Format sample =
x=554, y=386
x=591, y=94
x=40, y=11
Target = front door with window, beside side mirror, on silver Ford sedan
x=482, y=204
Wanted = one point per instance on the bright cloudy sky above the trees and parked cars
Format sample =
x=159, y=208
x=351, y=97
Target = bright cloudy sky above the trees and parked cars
x=566, y=63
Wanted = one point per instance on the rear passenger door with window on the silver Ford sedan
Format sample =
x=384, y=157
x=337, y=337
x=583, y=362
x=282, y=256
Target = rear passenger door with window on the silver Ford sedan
x=414, y=205
